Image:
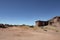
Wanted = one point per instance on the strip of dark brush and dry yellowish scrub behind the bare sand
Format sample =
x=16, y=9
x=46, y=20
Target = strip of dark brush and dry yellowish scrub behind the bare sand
x=45, y=28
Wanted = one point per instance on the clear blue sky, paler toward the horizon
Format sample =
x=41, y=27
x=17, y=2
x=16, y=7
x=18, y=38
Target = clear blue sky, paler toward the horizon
x=27, y=11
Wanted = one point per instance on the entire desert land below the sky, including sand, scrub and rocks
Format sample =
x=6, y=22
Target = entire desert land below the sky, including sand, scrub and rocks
x=40, y=31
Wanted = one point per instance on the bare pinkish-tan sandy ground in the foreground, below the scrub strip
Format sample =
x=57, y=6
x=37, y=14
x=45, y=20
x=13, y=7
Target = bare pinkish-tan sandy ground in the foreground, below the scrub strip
x=20, y=34
